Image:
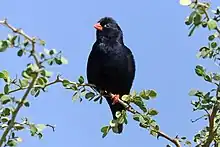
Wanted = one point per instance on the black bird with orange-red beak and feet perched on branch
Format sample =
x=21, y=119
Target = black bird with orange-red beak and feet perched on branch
x=111, y=65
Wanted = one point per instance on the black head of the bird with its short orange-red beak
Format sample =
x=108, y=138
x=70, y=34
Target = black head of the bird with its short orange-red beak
x=108, y=29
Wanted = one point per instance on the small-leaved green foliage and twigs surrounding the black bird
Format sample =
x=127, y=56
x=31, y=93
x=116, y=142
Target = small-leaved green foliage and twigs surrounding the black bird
x=36, y=78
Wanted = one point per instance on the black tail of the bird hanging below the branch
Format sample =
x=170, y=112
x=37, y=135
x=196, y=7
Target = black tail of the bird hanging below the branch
x=114, y=108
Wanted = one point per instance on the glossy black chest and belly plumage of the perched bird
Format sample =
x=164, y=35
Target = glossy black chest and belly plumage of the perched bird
x=110, y=70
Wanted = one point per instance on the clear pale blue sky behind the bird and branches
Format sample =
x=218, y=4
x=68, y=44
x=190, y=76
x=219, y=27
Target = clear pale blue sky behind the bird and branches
x=165, y=59
